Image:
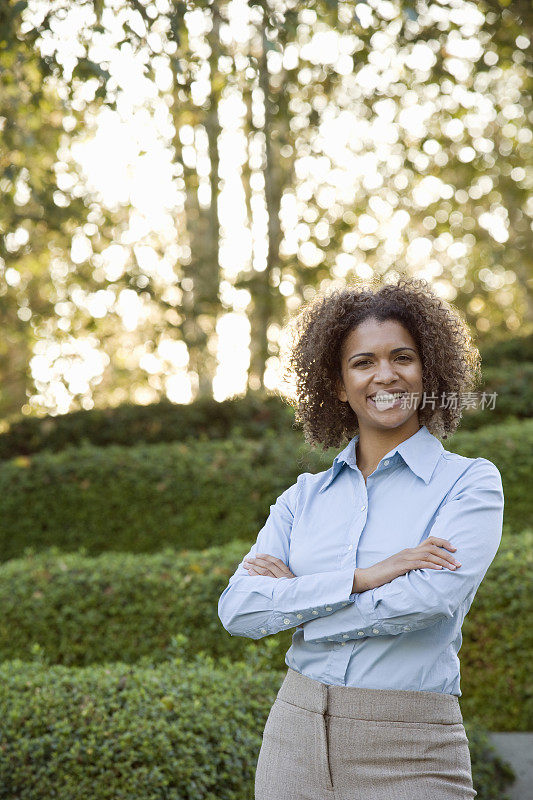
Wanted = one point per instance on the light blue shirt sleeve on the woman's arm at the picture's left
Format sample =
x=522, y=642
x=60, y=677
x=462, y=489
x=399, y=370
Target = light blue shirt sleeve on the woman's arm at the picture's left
x=258, y=605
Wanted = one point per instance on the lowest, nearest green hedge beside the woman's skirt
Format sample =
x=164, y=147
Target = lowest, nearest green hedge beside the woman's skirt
x=180, y=731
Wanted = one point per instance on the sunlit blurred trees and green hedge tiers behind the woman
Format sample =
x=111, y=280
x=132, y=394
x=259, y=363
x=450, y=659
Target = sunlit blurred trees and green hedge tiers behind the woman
x=176, y=180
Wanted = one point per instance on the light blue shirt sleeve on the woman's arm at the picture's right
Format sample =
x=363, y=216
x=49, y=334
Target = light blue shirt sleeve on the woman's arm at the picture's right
x=471, y=519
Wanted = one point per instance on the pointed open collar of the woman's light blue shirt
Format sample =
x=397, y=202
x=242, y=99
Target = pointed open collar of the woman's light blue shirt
x=420, y=452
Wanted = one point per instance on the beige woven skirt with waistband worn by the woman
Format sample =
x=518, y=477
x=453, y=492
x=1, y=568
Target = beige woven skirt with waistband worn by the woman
x=347, y=743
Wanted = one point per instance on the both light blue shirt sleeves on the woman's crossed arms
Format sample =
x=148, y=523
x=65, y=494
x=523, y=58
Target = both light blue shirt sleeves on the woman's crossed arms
x=323, y=603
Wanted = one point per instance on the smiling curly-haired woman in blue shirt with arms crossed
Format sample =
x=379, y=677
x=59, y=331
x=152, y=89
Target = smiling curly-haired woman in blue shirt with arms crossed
x=375, y=561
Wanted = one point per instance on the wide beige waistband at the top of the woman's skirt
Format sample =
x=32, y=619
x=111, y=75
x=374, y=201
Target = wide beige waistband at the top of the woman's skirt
x=388, y=705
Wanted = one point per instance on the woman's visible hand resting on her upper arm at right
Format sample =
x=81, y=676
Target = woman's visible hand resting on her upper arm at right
x=430, y=554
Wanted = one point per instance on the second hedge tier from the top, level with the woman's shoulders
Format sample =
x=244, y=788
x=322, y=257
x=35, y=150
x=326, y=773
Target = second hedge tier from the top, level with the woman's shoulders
x=194, y=494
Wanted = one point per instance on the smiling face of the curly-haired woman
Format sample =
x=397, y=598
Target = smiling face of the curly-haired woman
x=379, y=359
